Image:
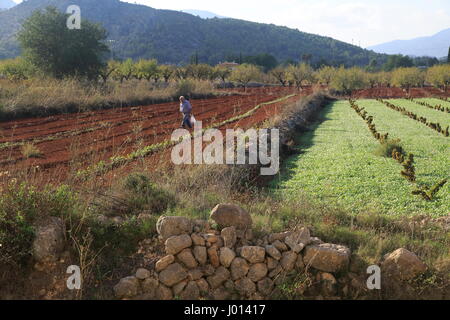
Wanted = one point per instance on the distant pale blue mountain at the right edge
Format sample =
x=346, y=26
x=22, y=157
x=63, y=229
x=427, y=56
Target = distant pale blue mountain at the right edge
x=433, y=46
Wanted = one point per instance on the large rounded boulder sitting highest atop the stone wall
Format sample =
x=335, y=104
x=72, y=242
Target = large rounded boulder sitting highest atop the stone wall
x=230, y=215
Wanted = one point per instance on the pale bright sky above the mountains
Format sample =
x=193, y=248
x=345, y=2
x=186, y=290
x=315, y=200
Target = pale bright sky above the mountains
x=361, y=22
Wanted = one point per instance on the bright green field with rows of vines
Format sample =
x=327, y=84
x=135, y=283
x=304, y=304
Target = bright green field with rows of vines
x=337, y=162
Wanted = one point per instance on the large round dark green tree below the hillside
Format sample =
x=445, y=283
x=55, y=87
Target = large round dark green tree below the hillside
x=57, y=51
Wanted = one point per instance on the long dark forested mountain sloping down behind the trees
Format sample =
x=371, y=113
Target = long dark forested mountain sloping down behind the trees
x=139, y=31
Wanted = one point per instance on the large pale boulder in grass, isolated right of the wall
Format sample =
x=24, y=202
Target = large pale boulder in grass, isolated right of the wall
x=403, y=264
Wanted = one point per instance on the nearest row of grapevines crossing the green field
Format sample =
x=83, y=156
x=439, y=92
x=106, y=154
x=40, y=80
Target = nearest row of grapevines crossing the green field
x=398, y=154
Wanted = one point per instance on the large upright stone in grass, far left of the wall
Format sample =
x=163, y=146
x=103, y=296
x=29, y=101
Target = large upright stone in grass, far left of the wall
x=49, y=240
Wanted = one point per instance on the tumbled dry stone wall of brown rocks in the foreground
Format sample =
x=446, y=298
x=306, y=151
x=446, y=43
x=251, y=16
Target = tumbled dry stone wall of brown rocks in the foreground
x=228, y=262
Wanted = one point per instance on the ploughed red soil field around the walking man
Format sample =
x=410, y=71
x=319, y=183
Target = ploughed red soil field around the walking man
x=77, y=140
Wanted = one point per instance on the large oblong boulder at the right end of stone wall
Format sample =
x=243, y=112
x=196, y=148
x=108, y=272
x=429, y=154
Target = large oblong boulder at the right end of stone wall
x=327, y=257
